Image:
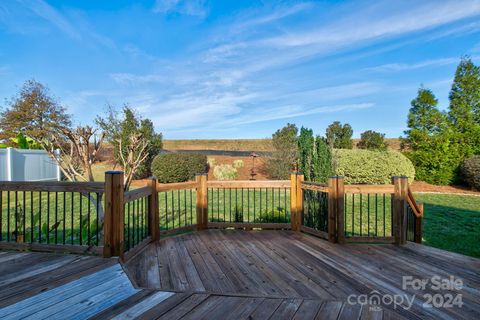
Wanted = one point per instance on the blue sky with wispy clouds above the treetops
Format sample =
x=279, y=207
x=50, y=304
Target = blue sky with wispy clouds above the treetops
x=239, y=69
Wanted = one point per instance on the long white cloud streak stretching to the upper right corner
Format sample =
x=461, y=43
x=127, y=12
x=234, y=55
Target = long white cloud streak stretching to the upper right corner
x=405, y=19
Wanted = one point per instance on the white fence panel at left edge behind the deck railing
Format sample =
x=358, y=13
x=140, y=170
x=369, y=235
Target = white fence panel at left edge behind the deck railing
x=27, y=165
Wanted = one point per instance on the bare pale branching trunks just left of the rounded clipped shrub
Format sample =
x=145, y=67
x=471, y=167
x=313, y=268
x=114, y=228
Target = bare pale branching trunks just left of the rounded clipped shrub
x=136, y=154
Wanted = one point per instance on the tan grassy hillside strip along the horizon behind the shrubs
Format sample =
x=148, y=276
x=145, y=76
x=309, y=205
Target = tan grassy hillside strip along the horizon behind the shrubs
x=240, y=144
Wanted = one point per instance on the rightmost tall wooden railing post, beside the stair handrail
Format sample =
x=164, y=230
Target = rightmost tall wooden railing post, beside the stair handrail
x=399, y=215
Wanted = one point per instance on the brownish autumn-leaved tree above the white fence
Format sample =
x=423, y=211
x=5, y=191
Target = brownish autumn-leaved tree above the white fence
x=34, y=113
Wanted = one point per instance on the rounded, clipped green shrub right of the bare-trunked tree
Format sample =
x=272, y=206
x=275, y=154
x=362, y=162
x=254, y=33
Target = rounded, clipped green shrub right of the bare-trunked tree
x=178, y=167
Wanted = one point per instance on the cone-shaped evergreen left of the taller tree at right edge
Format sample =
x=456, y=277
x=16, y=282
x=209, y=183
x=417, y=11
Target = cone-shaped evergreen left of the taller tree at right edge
x=431, y=143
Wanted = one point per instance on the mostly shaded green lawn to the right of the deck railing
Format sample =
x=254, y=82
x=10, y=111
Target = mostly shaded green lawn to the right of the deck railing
x=452, y=222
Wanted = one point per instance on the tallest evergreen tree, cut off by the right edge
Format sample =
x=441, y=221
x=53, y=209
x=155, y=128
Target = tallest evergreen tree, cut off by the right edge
x=464, y=111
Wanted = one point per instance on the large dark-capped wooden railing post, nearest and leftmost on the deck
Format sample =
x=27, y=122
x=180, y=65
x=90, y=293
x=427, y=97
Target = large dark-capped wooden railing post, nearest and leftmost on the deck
x=113, y=225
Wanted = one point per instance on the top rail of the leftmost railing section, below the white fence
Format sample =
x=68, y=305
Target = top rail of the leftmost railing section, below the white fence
x=53, y=186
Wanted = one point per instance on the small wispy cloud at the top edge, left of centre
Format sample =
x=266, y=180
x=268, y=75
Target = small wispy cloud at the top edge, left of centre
x=197, y=8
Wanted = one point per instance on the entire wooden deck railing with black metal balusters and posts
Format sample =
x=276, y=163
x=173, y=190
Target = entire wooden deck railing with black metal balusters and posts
x=102, y=218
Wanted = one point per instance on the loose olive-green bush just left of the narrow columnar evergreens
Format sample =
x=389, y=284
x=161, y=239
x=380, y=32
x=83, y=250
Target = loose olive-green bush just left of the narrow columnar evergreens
x=283, y=159
